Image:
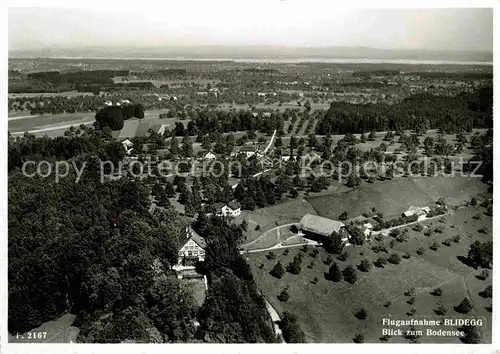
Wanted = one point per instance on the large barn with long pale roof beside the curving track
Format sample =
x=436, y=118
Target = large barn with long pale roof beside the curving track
x=317, y=227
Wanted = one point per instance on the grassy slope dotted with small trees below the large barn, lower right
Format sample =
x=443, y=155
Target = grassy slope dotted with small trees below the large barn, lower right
x=326, y=309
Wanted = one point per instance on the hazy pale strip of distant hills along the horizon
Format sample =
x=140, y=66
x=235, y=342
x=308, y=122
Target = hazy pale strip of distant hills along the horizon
x=254, y=52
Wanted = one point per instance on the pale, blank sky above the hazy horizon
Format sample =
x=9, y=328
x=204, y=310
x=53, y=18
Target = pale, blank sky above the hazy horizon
x=269, y=22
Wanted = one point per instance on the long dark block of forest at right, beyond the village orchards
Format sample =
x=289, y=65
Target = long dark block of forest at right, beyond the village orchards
x=418, y=112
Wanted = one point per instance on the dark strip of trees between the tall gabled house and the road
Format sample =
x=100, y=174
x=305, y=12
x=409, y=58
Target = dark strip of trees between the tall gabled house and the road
x=234, y=311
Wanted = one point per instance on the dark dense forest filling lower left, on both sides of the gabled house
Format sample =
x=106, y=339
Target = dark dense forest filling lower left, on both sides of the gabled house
x=66, y=255
